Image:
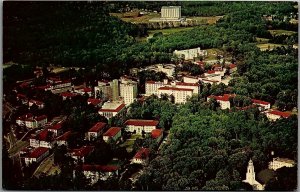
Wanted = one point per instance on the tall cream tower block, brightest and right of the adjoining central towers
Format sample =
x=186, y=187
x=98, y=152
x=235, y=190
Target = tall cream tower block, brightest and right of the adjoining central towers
x=128, y=92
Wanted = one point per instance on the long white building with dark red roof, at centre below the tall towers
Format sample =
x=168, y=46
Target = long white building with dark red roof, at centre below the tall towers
x=140, y=125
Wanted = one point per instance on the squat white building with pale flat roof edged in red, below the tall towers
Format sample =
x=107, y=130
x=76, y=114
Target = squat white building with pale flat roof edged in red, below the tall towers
x=111, y=109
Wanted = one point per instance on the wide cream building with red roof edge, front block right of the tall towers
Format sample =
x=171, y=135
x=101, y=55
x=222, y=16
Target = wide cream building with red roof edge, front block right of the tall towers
x=180, y=94
